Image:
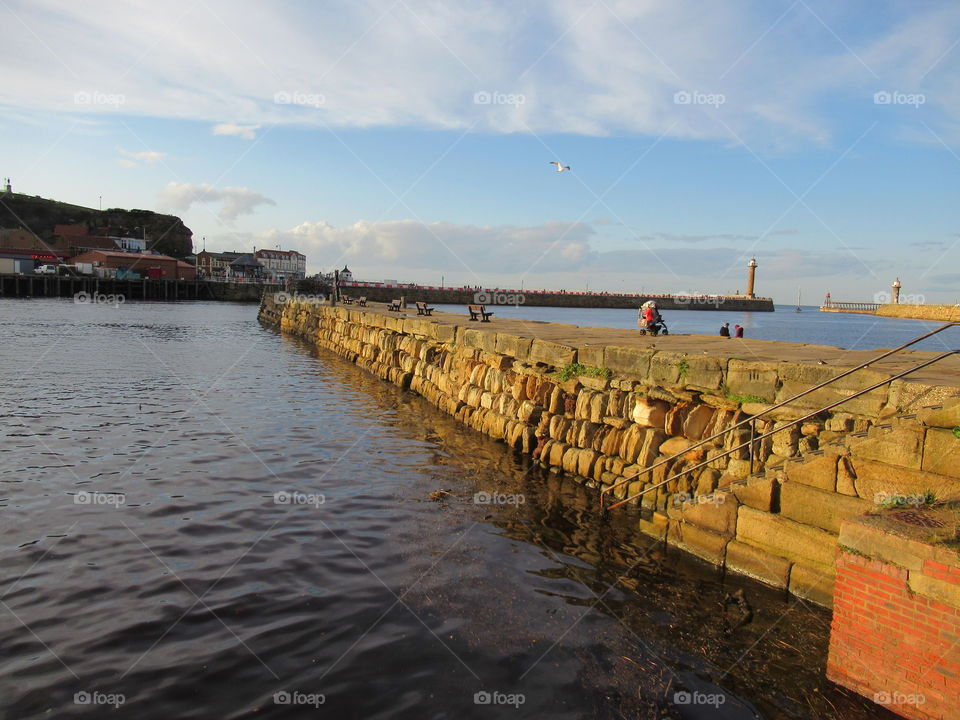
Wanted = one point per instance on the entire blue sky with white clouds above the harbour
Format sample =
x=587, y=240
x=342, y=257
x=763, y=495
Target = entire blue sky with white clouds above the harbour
x=411, y=140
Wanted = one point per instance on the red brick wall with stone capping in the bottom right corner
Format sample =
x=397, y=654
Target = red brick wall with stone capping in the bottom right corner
x=895, y=636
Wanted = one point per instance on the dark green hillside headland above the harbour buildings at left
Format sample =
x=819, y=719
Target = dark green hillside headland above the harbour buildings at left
x=164, y=233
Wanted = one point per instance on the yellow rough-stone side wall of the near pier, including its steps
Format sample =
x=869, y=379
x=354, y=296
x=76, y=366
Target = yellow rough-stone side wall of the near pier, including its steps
x=603, y=413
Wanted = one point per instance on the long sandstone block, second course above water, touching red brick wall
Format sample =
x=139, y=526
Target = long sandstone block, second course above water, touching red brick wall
x=784, y=537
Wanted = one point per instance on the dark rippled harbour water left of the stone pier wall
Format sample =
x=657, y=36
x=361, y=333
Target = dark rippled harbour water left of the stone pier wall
x=204, y=519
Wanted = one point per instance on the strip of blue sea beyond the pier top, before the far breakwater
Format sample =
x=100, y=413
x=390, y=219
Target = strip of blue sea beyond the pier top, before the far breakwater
x=846, y=330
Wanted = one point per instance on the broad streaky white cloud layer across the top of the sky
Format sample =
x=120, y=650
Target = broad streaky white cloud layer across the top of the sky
x=610, y=67
